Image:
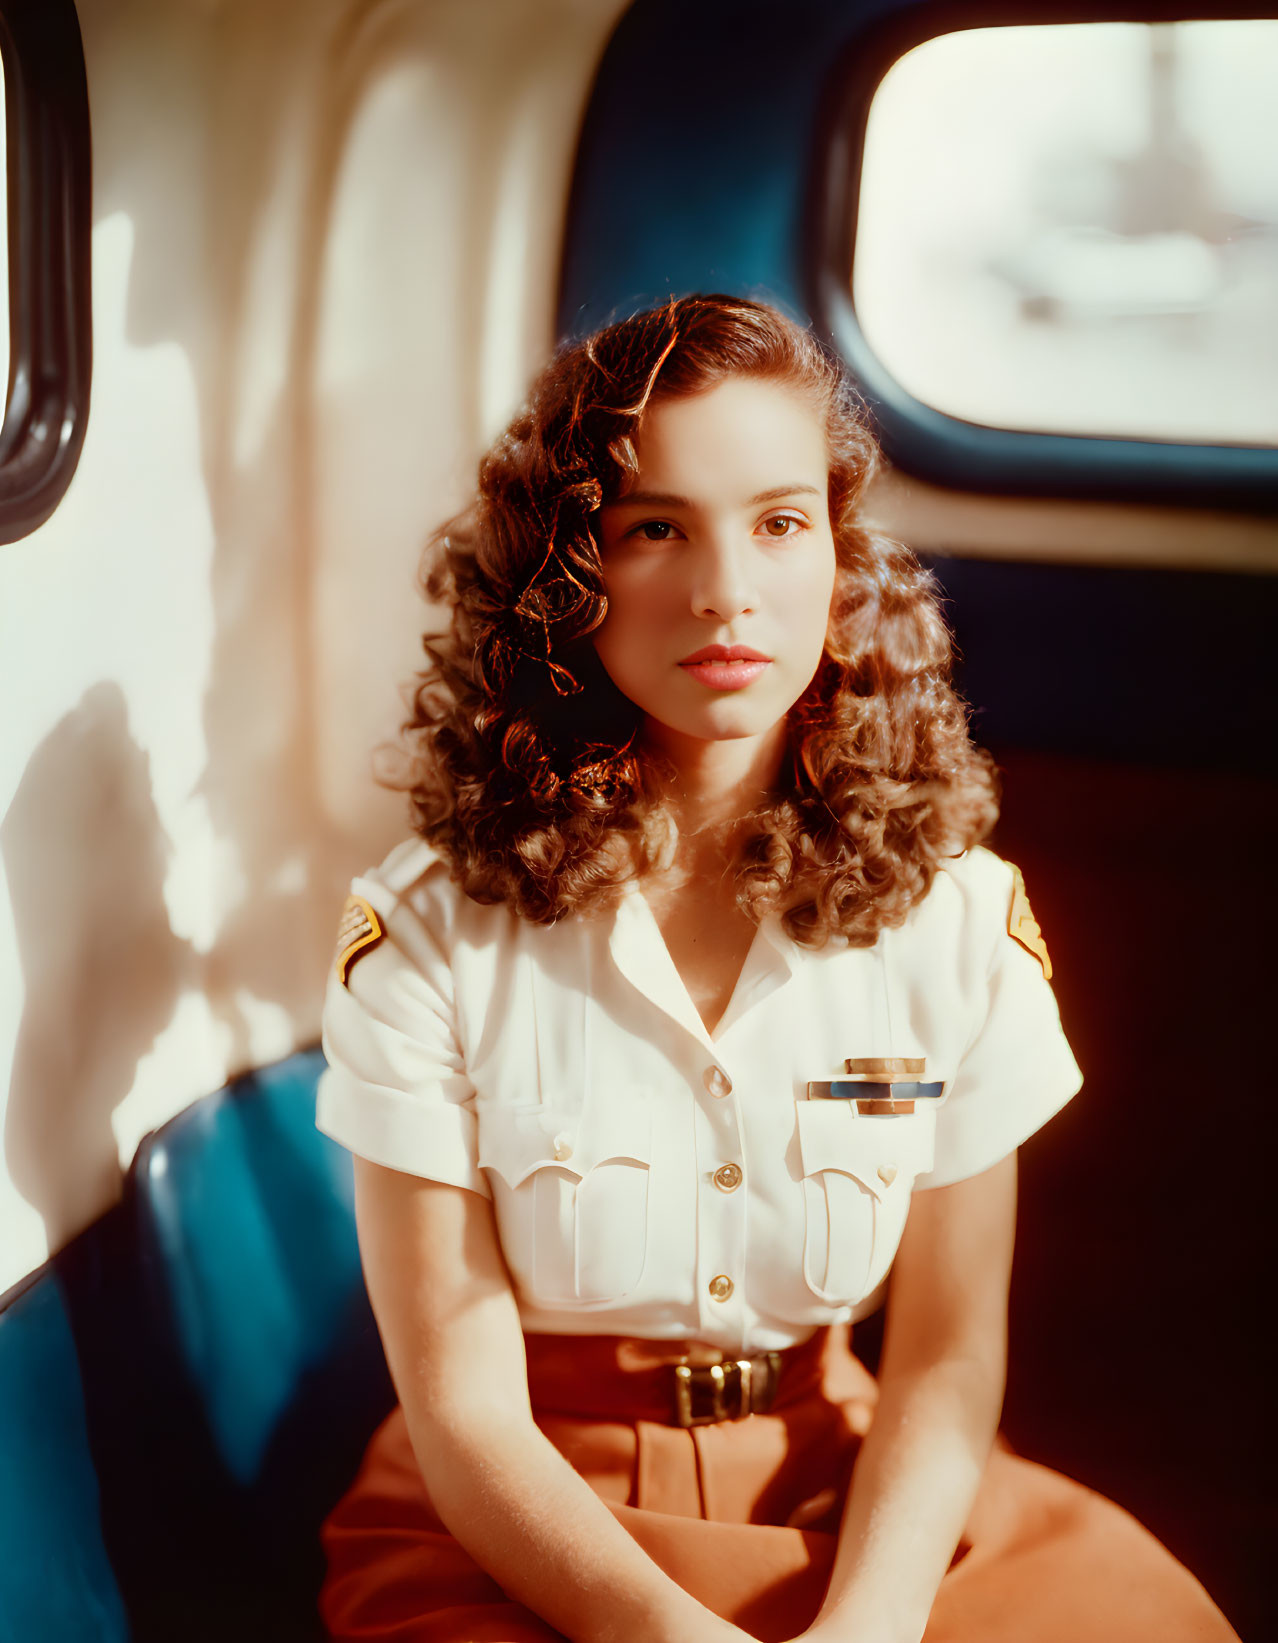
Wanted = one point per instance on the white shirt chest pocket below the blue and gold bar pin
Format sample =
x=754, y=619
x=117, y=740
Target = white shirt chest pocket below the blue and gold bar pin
x=858, y=1172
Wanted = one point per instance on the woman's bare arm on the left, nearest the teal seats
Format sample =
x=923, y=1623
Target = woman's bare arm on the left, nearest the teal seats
x=456, y=1350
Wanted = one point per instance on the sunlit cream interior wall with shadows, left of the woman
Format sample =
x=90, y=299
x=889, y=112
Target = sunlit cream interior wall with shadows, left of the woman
x=324, y=255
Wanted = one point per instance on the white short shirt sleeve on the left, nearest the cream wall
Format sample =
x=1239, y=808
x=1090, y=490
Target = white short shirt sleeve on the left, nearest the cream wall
x=397, y=1088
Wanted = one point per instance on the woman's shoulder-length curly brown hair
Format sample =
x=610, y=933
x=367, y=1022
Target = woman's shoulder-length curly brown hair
x=525, y=763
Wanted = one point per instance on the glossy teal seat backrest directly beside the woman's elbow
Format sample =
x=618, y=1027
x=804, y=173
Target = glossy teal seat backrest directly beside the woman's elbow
x=247, y=1236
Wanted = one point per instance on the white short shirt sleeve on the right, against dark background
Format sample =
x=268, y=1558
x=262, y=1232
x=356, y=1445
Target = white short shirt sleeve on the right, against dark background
x=1018, y=1069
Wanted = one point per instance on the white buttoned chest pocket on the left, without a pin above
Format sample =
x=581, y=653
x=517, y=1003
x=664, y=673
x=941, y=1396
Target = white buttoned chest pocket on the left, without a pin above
x=571, y=1197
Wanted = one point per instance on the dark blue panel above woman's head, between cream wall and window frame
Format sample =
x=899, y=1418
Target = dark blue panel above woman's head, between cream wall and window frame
x=694, y=157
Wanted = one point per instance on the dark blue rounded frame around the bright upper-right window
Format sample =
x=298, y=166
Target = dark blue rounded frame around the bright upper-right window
x=929, y=443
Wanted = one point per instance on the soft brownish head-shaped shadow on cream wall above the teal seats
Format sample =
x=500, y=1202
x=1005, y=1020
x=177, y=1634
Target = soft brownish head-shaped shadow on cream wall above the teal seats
x=85, y=857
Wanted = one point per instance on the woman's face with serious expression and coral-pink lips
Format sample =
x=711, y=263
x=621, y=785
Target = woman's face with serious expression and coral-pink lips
x=720, y=564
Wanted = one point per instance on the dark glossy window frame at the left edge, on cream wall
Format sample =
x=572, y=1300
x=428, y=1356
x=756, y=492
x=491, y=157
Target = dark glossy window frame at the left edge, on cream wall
x=50, y=259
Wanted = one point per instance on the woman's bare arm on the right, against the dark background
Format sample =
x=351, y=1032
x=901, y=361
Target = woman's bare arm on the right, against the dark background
x=940, y=1394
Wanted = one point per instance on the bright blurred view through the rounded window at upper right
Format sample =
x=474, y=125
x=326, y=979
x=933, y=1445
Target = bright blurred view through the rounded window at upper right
x=1075, y=229
